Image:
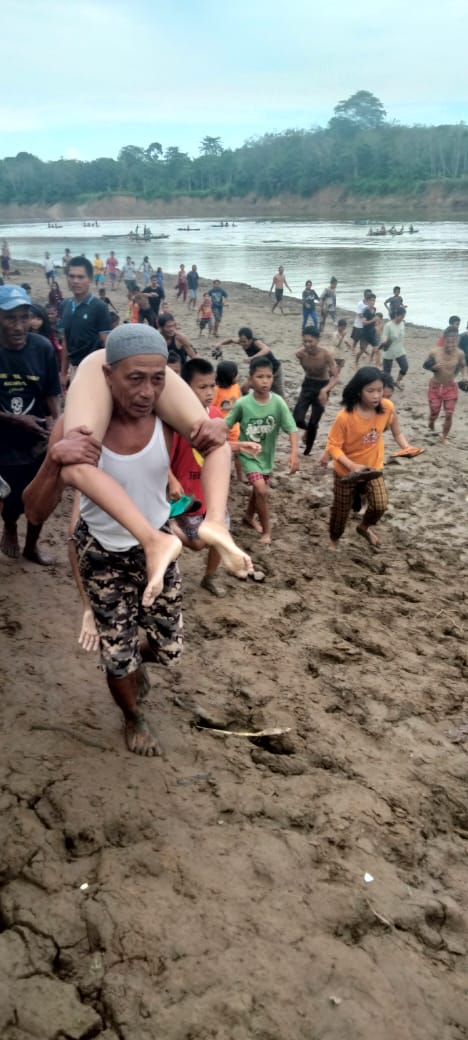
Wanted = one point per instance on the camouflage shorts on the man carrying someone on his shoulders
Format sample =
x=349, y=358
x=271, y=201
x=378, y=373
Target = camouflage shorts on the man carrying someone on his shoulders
x=115, y=584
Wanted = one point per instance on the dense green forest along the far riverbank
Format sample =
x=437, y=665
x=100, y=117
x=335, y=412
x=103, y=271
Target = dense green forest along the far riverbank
x=359, y=154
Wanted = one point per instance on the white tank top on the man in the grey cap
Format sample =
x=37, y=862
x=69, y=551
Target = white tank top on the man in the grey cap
x=145, y=478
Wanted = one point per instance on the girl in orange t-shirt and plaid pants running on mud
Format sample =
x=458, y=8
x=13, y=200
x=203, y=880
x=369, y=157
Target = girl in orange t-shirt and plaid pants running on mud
x=356, y=445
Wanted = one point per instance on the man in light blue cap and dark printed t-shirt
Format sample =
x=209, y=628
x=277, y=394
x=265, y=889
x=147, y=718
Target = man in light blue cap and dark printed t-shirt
x=30, y=404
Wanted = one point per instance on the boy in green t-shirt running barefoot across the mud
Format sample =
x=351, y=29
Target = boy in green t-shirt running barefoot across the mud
x=263, y=415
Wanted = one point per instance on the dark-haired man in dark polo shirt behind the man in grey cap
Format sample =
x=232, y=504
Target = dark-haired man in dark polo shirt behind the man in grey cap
x=86, y=320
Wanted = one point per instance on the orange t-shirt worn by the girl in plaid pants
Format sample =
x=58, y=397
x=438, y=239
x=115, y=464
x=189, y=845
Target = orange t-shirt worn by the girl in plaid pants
x=360, y=437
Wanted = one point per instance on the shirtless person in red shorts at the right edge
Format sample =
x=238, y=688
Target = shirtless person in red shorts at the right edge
x=445, y=363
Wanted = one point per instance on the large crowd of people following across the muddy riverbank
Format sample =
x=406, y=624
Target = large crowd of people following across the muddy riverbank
x=126, y=410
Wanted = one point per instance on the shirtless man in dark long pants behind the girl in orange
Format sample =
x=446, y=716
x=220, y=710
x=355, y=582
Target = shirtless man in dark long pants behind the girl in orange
x=322, y=376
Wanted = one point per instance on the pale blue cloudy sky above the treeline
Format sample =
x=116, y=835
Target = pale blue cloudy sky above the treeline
x=84, y=80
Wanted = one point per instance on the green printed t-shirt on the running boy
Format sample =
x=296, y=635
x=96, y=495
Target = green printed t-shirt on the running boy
x=262, y=424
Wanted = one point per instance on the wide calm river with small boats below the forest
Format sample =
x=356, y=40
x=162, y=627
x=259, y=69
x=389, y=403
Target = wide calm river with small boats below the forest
x=431, y=267
